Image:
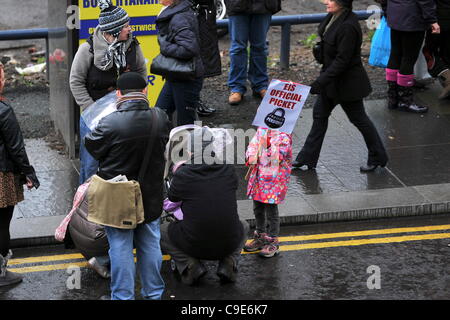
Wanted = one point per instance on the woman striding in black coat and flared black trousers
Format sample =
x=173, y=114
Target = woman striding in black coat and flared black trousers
x=343, y=81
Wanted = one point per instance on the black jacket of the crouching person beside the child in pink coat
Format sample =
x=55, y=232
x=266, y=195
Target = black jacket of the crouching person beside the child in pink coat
x=210, y=228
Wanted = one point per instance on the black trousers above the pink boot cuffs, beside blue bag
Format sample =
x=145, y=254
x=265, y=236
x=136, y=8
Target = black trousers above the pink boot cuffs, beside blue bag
x=405, y=49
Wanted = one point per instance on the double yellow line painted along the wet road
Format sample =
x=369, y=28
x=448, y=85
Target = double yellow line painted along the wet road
x=15, y=263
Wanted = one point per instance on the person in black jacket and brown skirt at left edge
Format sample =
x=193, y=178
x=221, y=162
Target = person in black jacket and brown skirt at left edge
x=15, y=170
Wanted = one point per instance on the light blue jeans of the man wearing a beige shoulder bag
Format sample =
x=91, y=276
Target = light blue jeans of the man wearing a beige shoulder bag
x=146, y=238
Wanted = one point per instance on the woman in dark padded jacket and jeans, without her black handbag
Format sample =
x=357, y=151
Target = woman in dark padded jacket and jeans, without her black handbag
x=178, y=37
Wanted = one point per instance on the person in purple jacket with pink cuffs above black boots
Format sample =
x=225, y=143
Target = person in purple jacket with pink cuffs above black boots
x=408, y=20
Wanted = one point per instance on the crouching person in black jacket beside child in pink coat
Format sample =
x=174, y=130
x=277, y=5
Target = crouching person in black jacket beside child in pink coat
x=210, y=228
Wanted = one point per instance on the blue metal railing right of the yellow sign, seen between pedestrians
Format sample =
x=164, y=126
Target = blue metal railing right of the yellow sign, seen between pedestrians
x=287, y=21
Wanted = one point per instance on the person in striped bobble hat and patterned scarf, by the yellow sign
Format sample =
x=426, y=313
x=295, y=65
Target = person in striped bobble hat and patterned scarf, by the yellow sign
x=93, y=74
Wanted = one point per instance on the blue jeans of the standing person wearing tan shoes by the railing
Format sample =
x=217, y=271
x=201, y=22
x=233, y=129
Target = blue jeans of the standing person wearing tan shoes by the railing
x=246, y=28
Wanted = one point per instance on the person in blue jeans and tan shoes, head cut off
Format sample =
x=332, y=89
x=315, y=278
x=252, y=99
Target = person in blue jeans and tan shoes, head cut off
x=249, y=21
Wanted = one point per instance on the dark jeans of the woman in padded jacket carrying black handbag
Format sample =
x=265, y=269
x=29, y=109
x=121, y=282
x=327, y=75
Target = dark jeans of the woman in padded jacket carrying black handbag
x=182, y=97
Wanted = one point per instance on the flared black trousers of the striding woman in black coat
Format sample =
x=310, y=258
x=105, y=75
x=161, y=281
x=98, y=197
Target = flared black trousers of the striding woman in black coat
x=356, y=113
